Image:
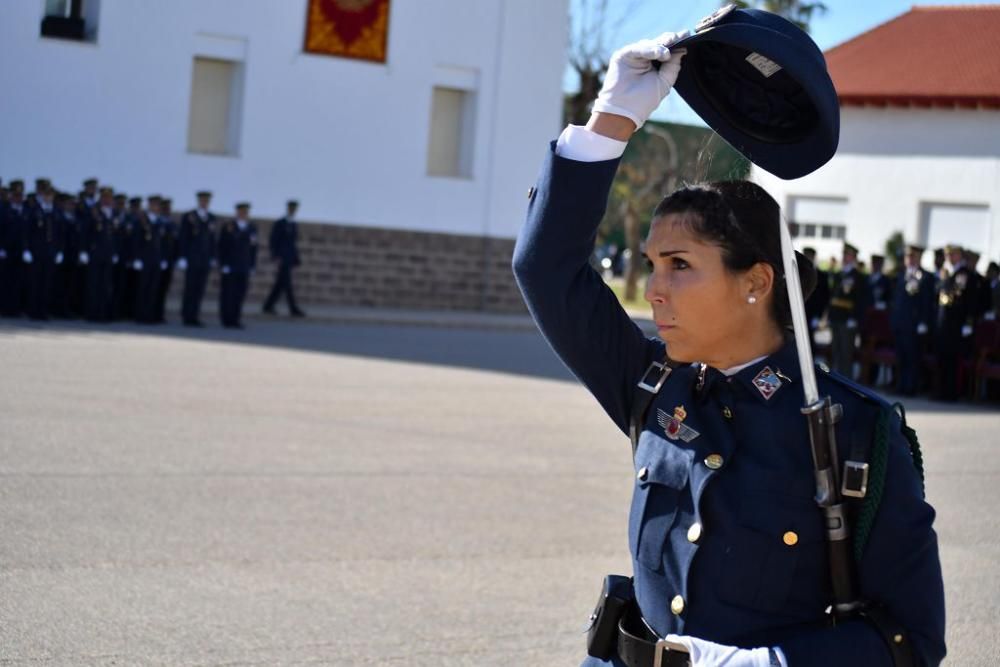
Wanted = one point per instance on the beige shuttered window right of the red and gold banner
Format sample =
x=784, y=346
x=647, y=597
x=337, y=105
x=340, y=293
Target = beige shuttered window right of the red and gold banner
x=452, y=132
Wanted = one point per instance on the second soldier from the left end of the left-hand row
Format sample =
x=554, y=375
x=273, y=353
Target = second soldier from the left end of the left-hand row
x=43, y=252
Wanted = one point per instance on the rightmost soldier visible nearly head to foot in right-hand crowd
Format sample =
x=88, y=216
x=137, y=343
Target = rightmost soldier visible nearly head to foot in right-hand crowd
x=957, y=302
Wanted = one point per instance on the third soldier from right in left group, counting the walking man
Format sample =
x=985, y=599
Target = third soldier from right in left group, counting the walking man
x=196, y=250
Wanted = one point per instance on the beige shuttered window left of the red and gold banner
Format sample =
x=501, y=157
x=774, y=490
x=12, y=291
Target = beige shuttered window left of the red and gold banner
x=216, y=106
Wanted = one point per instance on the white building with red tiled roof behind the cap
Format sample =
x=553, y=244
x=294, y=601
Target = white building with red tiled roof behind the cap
x=920, y=139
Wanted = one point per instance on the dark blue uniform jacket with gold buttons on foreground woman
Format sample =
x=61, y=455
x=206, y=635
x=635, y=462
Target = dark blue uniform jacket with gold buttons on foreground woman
x=745, y=477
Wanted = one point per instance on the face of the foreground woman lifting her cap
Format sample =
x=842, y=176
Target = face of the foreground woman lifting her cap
x=700, y=307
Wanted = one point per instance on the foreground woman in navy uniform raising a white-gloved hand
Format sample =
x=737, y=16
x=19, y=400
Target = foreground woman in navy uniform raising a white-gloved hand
x=730, y=561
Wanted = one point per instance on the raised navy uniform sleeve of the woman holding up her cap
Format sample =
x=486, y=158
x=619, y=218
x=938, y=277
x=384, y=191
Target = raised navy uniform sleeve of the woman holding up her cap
x=577, y=313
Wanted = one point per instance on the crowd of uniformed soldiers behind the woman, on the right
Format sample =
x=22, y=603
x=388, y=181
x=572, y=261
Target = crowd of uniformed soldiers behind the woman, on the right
x=937, y=308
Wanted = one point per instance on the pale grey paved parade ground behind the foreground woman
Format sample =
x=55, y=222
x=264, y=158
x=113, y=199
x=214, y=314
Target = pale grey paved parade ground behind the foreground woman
x=351, y=495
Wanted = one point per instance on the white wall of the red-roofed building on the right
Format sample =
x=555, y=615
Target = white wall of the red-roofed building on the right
x=891, y=161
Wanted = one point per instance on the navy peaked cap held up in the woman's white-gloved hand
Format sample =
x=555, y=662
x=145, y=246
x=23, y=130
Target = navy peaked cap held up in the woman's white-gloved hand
x=761, y=83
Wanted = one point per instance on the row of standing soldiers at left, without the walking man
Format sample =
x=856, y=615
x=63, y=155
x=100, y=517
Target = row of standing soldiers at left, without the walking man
x=104, y=257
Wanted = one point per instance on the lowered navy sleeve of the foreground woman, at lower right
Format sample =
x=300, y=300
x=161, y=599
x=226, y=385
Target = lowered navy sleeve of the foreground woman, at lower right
x=900, y=570
